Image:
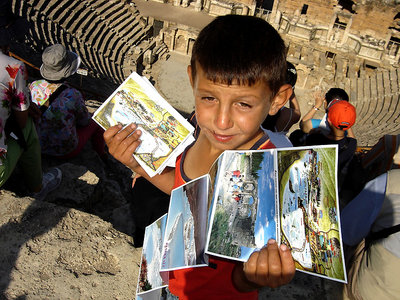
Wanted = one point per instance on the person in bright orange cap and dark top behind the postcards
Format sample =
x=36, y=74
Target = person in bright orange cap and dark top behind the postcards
x=341, y=117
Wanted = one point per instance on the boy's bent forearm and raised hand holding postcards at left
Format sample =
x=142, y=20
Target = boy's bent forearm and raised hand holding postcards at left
x=123, y=143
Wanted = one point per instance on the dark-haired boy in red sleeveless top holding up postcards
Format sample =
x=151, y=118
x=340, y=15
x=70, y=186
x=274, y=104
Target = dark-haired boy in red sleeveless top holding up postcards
x=237, y=72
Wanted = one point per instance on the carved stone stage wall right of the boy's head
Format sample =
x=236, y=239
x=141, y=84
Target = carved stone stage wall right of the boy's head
x=370, y=31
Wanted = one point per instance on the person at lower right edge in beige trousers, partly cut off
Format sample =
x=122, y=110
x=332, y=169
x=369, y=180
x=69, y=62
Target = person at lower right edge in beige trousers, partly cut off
x=370, y=230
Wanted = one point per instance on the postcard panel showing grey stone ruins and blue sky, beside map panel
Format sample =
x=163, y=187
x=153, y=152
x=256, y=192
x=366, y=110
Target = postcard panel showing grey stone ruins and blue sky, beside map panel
x=244, y=213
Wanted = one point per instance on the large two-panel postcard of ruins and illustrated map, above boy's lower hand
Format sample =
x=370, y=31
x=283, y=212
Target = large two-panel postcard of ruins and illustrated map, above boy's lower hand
x=286, y=194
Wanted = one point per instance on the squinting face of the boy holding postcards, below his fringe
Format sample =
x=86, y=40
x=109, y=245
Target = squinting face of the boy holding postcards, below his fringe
x=230, y=115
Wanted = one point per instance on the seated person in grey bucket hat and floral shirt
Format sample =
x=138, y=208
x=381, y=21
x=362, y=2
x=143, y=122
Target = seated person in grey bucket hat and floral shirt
x=65, y=125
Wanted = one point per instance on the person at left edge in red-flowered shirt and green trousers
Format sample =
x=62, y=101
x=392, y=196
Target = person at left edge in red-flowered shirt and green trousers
x=19, y=143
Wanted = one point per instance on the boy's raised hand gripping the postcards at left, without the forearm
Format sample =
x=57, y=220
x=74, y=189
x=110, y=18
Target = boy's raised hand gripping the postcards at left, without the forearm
x=123, y=143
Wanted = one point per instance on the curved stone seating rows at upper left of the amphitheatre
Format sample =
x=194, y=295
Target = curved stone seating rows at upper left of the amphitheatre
x=103, y=32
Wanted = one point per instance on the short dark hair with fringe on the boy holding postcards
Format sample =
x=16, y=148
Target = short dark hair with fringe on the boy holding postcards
x=242, y=48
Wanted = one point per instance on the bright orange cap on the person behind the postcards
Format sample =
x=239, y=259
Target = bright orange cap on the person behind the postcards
x=342, y=115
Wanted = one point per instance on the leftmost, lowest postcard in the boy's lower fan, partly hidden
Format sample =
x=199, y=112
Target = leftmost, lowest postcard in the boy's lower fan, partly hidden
x=151, y=284
